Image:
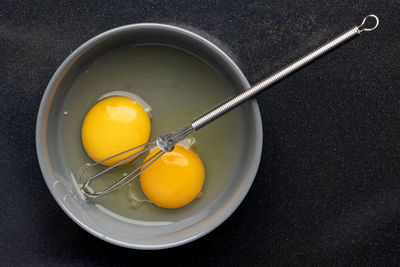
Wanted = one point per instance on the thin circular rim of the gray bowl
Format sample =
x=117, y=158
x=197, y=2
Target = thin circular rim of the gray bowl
x=45, y=166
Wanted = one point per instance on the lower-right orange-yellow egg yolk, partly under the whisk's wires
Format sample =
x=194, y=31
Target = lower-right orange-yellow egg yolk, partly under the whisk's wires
x=175, y=179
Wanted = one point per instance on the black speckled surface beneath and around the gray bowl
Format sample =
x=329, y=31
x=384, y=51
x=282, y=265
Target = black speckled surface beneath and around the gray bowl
x=328, y=187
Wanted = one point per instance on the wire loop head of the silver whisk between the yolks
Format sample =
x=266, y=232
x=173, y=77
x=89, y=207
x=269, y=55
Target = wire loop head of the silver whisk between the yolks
x=166, y=143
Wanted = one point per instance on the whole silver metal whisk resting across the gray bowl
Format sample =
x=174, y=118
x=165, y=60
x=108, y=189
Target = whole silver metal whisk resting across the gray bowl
x=166, y=143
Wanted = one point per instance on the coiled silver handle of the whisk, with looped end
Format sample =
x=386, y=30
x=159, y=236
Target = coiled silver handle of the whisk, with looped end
x=277, y=76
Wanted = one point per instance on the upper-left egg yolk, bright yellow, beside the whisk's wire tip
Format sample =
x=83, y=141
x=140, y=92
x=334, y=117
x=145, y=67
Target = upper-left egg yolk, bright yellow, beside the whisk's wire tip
x=114, y=125
